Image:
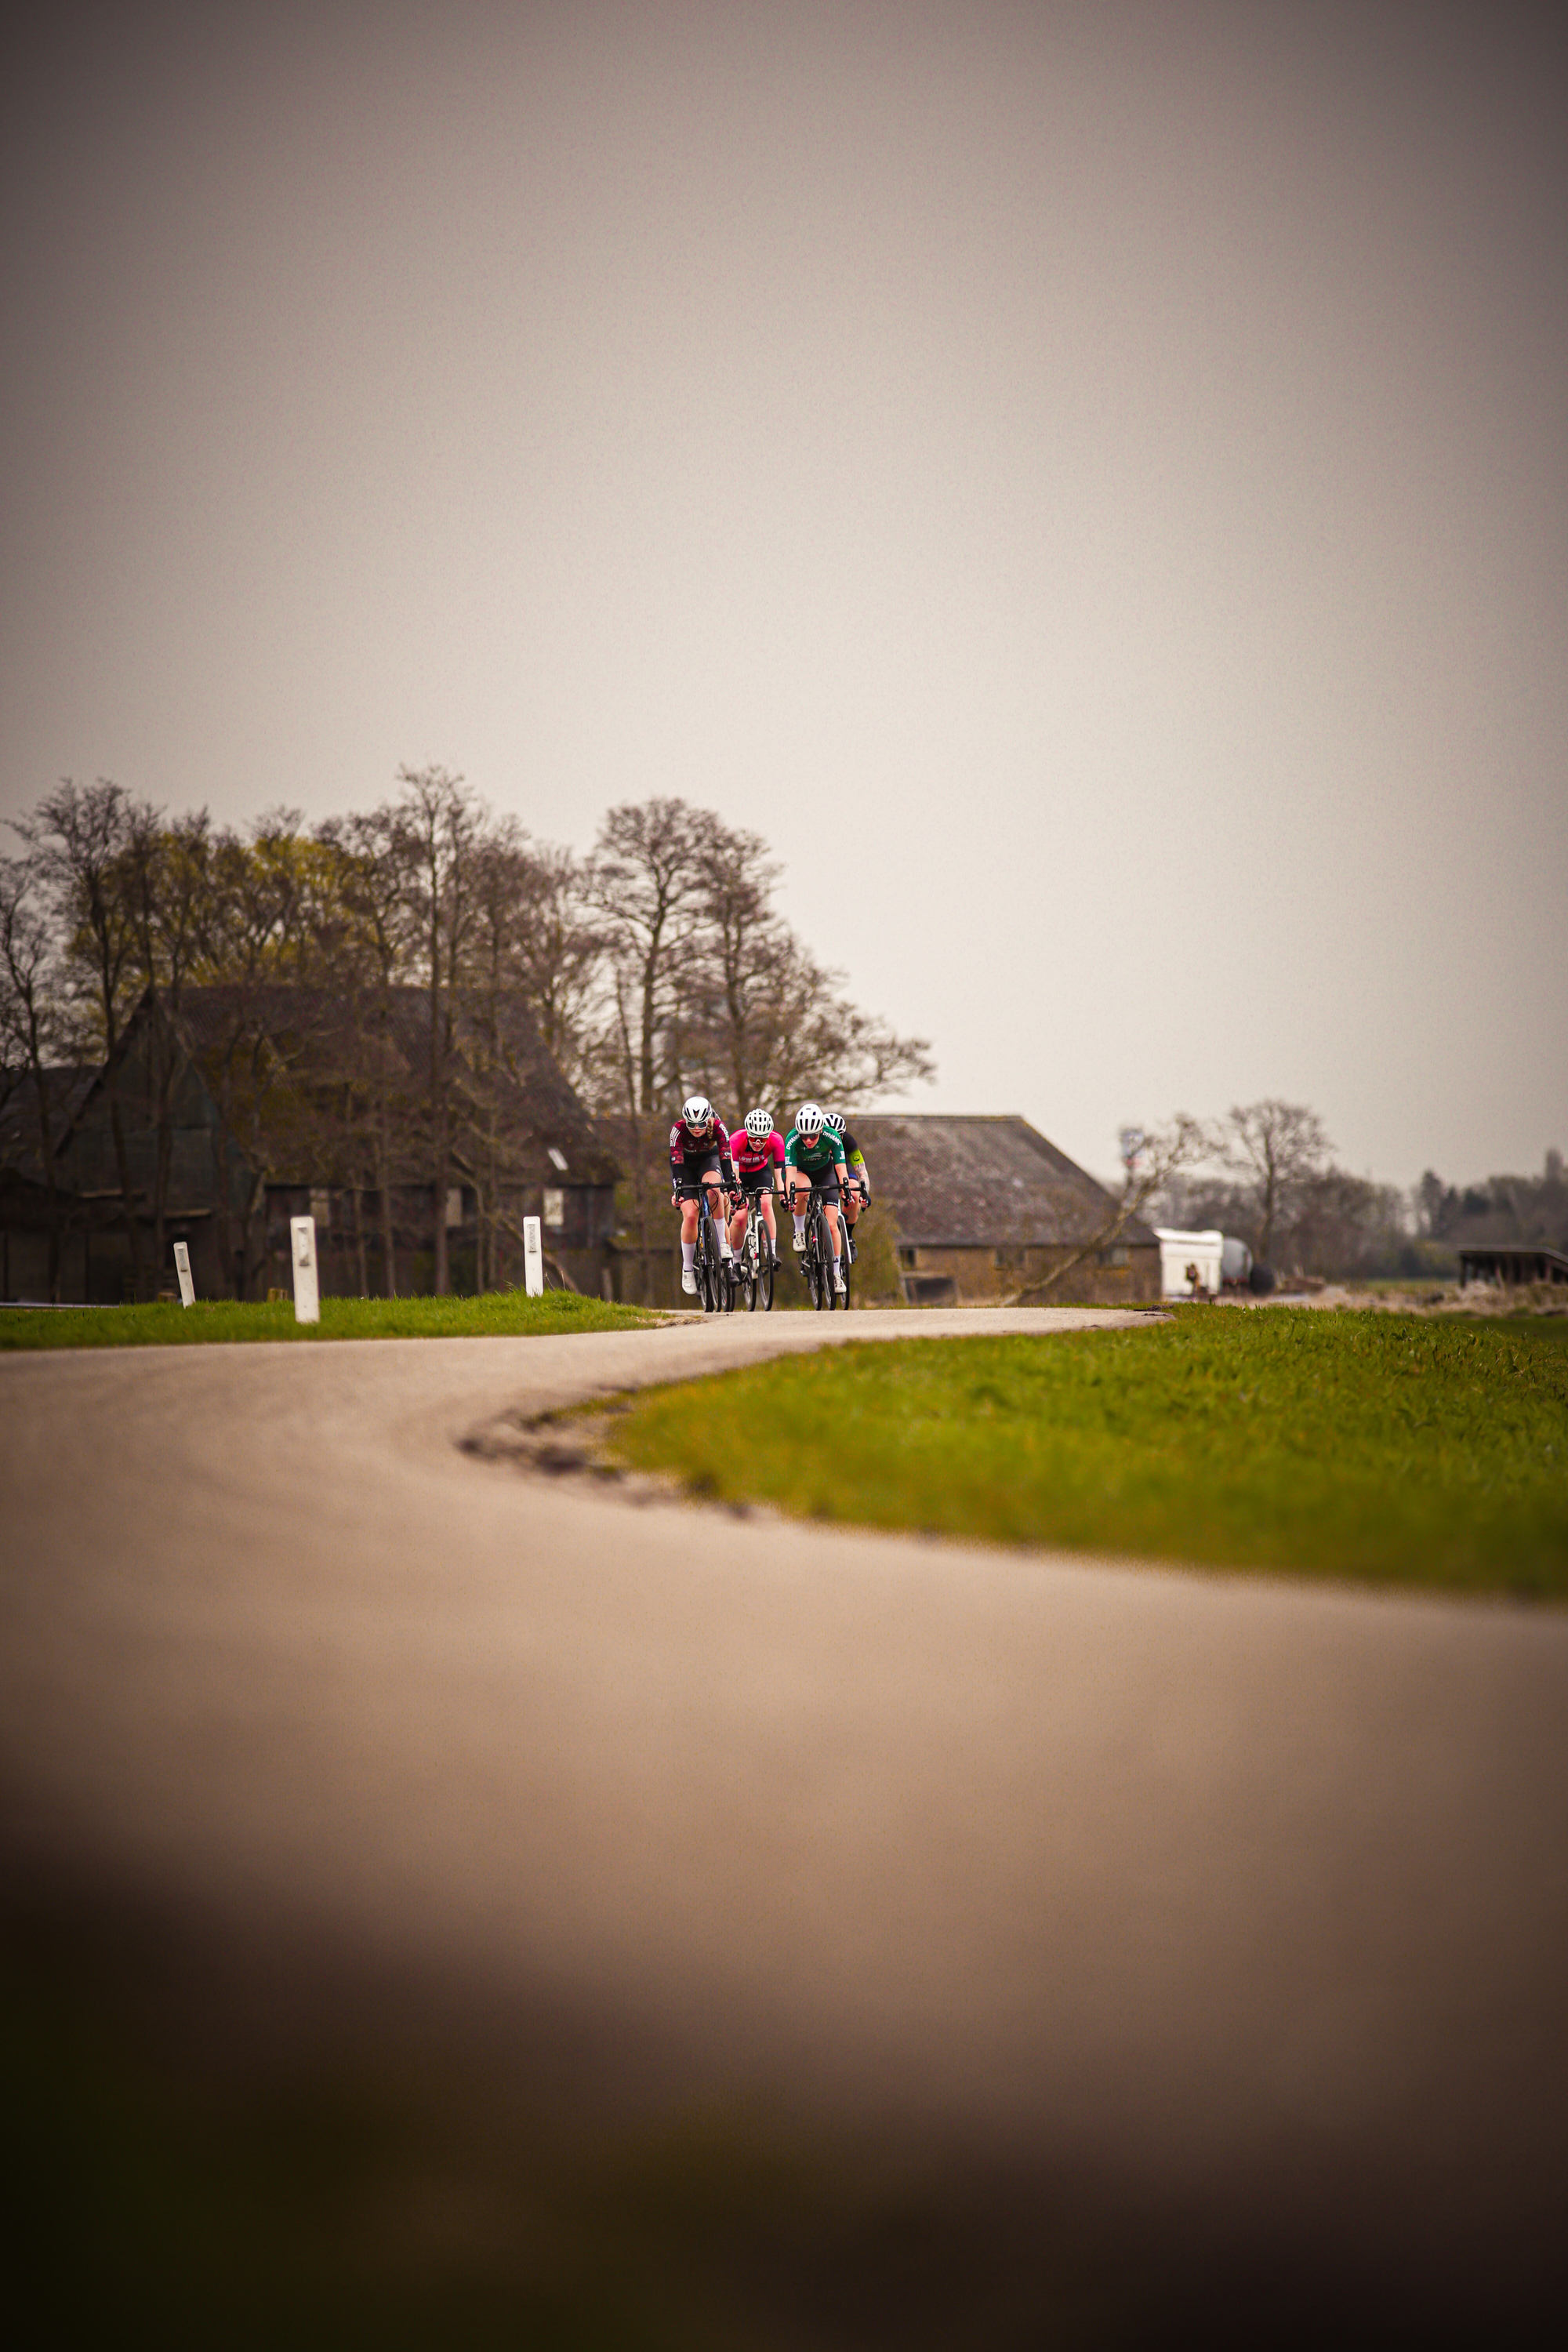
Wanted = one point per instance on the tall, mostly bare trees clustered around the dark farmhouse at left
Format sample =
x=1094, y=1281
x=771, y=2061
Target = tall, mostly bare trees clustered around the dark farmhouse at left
x=652, y=968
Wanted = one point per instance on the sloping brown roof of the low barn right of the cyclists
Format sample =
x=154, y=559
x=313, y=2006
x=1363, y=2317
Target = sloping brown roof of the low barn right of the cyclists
x=984, y=1184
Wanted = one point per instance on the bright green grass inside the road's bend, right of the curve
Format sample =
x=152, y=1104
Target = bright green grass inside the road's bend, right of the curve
x=1376, y=1448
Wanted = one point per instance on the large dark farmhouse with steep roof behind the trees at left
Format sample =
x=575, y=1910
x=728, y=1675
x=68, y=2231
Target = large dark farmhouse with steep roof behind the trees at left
x=250, y=1107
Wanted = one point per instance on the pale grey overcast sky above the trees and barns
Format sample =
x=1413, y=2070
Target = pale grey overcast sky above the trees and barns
x=1090, y=483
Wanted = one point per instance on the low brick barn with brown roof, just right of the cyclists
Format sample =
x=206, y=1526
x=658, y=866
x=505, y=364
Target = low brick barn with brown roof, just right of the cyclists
x=986, y=1208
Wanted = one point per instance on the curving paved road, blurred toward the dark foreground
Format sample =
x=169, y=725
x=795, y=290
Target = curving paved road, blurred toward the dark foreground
x=1228, y=1892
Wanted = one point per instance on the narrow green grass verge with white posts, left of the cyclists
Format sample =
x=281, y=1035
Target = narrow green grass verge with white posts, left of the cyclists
x=342, y=1318
